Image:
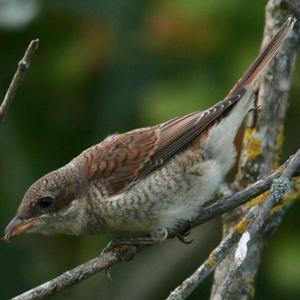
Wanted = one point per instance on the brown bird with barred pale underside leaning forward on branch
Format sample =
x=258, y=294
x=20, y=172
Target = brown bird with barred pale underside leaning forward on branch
x=147, y=181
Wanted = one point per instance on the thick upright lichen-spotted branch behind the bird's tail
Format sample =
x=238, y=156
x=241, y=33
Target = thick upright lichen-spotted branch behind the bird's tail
x=262, y=146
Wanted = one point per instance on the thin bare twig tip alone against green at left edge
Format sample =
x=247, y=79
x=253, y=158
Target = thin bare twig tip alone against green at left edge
x=18, y=77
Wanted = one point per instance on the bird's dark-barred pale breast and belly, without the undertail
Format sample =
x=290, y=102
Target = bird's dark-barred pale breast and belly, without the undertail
x=172, y=194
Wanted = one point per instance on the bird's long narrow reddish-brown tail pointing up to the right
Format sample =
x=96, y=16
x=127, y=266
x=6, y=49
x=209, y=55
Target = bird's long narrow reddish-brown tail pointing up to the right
x=264, y=57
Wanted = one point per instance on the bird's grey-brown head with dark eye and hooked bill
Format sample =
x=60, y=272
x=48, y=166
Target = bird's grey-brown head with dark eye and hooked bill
x=49, y=206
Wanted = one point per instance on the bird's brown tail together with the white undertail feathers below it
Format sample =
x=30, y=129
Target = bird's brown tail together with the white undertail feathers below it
x=223, y=133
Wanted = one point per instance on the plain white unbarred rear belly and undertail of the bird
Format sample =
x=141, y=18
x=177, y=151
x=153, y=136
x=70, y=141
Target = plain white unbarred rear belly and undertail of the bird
x=222, y=155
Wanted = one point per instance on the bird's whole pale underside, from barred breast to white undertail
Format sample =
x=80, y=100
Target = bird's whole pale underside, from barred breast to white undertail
x=164, y=199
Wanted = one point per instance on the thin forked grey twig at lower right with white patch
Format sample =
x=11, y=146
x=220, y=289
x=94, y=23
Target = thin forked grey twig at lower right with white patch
x=240, y=231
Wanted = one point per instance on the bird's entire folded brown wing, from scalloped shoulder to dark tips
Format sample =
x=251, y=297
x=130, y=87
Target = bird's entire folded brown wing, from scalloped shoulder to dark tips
x=125, y=158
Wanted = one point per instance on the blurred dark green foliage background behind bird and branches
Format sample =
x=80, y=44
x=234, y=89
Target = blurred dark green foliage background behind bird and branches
x=110, y=66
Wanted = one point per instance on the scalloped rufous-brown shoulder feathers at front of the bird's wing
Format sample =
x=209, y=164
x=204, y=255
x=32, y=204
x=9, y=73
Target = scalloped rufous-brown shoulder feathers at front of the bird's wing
x=118, y=159
